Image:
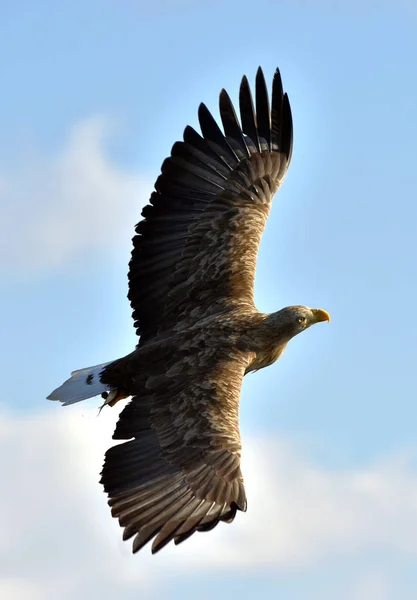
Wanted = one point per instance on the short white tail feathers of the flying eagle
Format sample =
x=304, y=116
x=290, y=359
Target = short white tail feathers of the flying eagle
x=83, y=384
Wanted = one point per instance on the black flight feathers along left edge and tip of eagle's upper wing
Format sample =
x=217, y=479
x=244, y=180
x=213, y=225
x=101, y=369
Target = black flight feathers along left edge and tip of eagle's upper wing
x=195, y=175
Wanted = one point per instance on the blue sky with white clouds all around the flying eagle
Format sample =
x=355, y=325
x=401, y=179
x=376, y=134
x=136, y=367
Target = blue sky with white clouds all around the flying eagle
x=93, y=96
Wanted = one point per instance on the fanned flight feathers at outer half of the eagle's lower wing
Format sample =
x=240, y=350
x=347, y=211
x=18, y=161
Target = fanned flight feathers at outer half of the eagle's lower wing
x=152, y=498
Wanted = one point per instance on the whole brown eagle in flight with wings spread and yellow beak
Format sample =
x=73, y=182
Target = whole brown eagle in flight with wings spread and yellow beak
x=191, y=288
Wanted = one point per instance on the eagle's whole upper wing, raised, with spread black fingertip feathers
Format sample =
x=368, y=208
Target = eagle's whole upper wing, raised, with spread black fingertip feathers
x=195, y=250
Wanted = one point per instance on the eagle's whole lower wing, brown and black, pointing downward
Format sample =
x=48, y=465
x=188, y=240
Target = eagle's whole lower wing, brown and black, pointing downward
x=181, y=472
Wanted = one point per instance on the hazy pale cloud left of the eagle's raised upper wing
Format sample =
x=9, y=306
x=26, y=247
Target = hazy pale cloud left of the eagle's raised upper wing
x=53, y=208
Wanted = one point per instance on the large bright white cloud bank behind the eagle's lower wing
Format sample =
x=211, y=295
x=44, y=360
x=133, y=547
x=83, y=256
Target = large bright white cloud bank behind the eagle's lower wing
x=58, y=536
